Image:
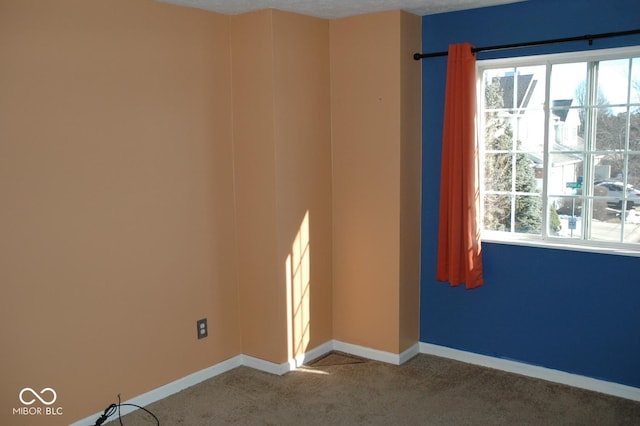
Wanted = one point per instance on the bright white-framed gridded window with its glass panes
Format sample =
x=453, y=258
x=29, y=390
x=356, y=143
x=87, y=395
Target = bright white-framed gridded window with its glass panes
x=559, y=139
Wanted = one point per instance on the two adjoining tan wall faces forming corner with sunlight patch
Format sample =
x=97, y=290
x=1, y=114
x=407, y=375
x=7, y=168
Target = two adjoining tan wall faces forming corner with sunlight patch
x=283, y=174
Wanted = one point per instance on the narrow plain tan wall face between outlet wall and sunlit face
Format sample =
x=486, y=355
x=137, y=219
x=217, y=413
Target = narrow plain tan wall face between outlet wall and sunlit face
x=261, y=295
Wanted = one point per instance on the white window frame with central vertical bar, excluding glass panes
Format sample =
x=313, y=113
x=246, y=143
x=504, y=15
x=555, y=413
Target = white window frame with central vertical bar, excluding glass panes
x=544, y=239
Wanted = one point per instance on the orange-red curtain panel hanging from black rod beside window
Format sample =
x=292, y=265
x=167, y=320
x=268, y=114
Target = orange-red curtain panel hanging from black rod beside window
x=459, y=251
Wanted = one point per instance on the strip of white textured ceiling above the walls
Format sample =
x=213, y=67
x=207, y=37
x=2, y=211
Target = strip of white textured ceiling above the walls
x=331, y=9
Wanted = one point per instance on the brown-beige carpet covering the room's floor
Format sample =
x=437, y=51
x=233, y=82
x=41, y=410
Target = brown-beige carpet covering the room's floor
x=340, y=389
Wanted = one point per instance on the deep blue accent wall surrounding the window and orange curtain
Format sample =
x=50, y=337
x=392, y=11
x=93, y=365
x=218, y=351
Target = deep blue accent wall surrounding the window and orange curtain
x=572, y=311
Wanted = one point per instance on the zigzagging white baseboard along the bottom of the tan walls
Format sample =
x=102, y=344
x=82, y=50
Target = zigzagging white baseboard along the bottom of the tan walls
x=258, y=364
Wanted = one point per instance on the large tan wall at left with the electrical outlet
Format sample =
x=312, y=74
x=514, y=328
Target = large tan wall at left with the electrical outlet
x=116, y=201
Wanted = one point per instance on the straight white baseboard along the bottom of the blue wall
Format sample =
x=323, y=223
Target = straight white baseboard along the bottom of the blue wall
x=557, y=376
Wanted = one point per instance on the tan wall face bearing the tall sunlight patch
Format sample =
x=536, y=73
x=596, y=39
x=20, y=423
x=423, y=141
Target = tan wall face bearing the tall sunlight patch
x=303, y=179
